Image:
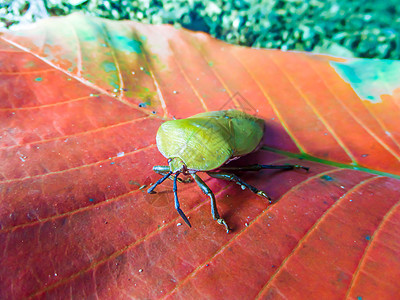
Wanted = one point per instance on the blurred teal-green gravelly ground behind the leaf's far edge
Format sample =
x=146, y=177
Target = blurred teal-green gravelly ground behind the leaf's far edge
x=368, y=28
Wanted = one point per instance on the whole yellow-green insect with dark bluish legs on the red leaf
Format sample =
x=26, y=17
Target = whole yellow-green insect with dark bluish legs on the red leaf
x=205, y=143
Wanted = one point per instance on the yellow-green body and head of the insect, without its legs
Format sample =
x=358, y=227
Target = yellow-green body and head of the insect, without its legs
x=207, y=140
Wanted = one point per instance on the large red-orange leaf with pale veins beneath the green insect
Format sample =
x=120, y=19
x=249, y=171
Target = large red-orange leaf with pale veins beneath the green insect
x=81, y=101
